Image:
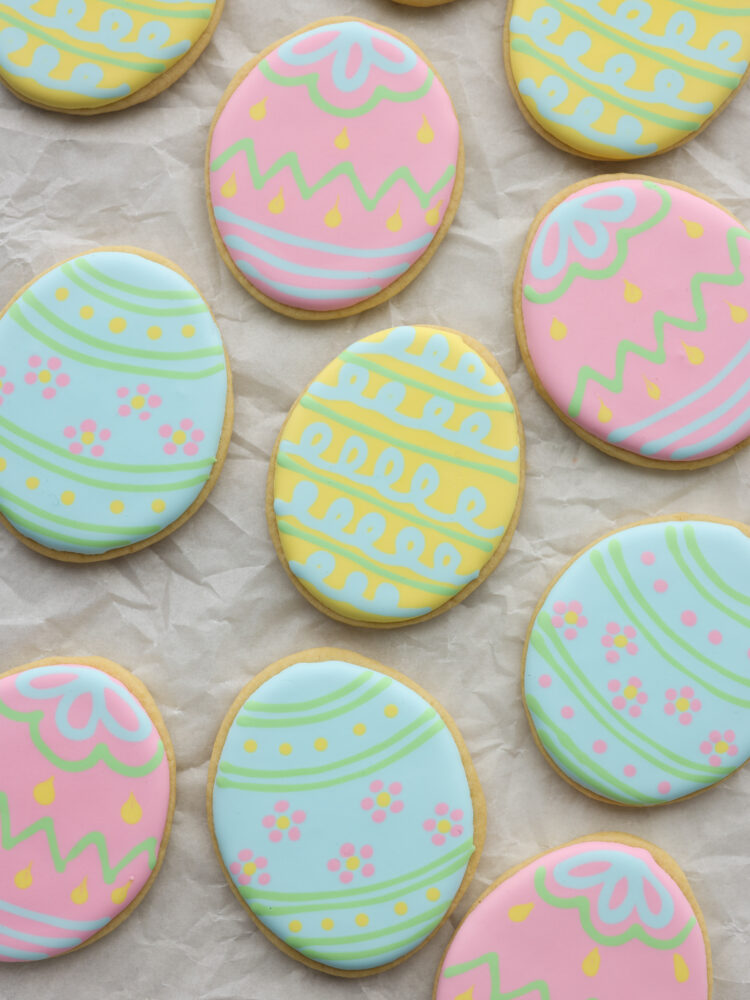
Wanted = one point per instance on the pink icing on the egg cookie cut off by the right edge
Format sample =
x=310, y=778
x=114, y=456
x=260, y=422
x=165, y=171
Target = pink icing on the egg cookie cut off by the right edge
x=635, y=307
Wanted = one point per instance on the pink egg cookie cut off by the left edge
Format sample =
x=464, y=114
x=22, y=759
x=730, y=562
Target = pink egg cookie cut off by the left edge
x=86, y=803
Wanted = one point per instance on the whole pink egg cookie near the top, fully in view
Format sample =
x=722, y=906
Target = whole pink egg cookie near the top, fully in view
x=335, y=167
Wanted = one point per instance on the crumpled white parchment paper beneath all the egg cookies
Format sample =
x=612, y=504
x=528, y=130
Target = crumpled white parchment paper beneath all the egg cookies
x=197, y=615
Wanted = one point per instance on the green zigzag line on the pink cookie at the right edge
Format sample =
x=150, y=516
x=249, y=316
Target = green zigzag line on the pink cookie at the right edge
x=658, y=354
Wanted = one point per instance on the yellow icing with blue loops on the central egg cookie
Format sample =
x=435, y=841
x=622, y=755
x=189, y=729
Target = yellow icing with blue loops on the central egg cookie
x=397, y=475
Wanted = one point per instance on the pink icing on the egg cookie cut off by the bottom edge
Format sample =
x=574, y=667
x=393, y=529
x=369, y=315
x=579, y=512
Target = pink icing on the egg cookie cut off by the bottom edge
x=593, y=919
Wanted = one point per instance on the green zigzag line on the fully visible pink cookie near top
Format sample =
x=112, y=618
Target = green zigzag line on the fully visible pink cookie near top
x=291, y=160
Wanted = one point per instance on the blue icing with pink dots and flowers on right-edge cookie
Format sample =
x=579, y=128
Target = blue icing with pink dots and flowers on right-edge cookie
x=638, y=665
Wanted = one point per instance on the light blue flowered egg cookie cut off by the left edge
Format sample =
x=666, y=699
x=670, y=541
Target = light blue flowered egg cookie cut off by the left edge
x=115, y=405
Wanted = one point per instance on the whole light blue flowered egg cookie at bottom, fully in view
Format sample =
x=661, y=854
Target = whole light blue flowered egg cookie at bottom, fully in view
x=345, y=810
